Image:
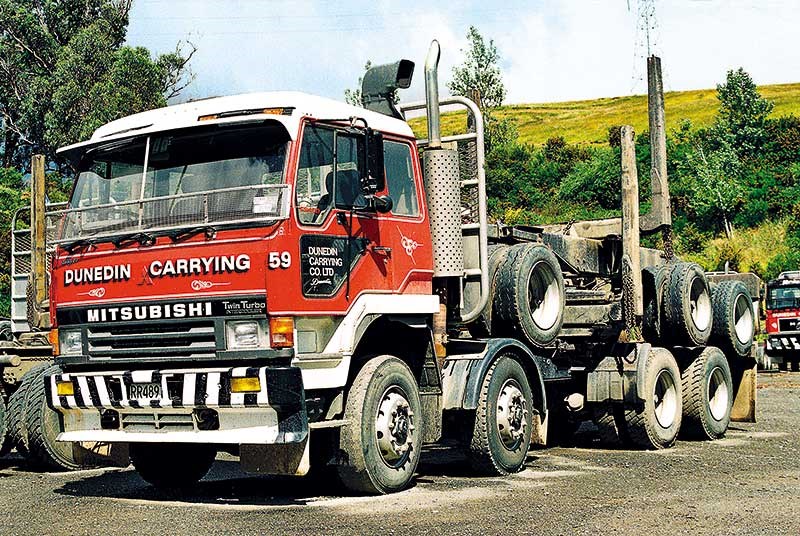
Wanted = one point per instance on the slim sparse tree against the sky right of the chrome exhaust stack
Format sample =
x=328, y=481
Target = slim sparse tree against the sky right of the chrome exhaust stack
x=479, y=72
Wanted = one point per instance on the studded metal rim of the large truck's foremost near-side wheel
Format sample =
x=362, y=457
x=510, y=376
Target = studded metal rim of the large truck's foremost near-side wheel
x=394, y=427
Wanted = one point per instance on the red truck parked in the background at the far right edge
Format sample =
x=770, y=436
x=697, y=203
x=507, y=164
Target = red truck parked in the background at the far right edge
x=783, y=321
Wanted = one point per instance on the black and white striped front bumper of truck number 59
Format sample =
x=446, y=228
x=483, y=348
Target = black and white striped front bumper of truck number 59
x=275, y=414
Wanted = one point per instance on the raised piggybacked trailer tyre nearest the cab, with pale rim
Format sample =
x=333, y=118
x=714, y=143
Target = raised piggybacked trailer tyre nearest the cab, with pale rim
x=529, y=298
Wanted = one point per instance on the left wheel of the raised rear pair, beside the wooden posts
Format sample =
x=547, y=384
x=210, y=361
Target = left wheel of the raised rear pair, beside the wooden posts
x=687, y=305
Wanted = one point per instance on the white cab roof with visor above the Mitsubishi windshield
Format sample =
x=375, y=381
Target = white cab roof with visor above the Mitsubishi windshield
x=287, y=108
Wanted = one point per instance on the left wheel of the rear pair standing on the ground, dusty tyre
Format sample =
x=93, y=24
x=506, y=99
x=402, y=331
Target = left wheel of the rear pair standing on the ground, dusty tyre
x=655, y=424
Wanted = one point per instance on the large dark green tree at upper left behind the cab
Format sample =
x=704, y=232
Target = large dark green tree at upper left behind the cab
x=64, y=71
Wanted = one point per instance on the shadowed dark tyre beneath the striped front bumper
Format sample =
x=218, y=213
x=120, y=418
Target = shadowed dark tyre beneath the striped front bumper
x=172, y=465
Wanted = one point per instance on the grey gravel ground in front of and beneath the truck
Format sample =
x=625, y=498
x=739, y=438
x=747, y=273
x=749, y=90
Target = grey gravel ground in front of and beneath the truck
x=746, y=483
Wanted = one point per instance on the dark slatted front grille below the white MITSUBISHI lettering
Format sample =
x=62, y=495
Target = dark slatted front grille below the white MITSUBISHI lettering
x=192, y=339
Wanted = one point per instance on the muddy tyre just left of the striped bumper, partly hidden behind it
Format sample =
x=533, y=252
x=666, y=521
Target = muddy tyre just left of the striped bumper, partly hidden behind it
x=42, y=426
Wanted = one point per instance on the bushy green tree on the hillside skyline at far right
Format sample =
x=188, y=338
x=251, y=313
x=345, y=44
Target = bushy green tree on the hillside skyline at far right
x=742, y=117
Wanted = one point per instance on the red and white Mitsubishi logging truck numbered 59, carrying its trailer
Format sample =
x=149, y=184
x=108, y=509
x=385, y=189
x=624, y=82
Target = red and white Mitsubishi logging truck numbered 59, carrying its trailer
x=305, y=285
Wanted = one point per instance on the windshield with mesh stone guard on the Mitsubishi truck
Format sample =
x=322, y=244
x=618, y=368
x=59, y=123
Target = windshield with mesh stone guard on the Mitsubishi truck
x=201, y=177
